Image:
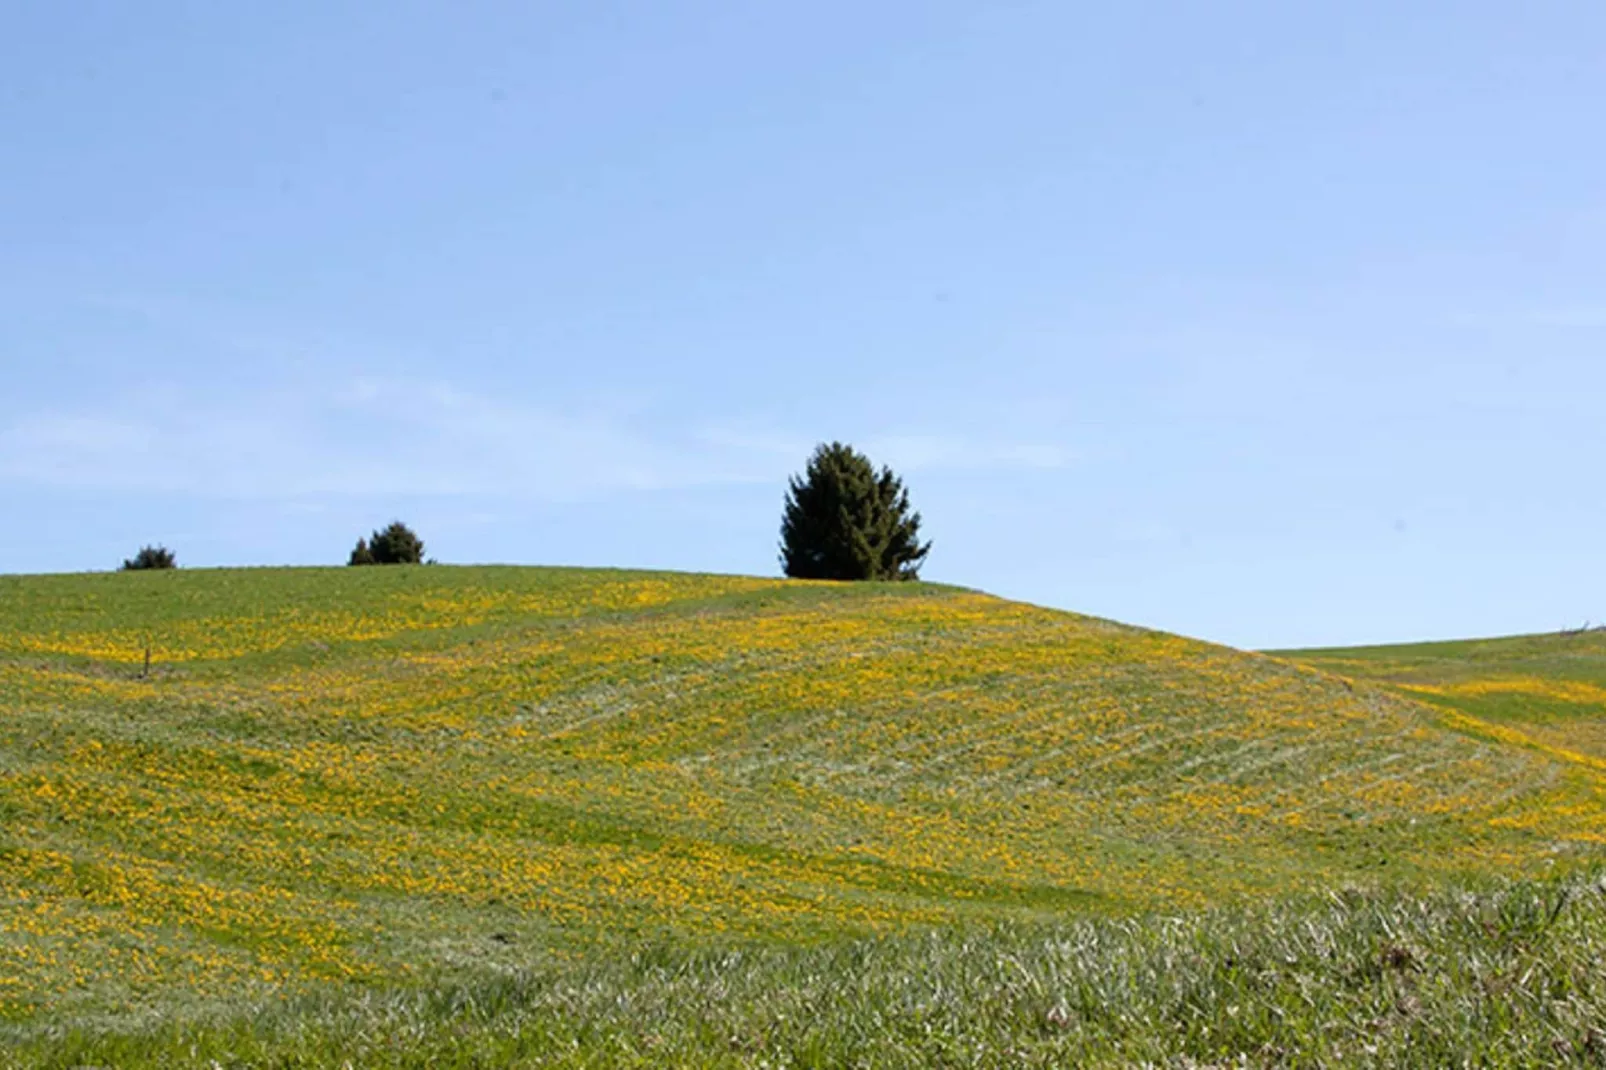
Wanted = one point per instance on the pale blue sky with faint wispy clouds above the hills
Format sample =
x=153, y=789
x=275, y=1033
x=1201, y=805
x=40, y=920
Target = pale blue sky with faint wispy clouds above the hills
x=1271, y=324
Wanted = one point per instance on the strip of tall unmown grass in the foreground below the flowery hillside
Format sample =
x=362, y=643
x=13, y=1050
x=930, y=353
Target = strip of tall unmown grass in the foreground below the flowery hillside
x=1510, y=976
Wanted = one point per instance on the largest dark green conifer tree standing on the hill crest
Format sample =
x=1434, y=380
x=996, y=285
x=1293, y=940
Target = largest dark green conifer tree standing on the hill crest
x=846, y=521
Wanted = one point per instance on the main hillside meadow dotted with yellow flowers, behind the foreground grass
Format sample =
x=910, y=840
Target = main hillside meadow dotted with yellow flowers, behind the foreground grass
x=502, y=766
